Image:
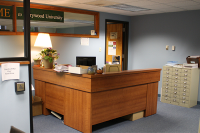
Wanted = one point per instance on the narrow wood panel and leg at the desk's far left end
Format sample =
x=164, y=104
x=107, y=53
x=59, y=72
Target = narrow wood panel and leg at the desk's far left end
x=40, y=92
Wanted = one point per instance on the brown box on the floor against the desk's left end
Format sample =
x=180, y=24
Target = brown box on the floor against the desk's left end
x=36, y=105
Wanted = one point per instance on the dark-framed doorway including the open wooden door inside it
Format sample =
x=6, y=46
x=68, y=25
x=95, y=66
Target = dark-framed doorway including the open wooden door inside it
x=116, y=37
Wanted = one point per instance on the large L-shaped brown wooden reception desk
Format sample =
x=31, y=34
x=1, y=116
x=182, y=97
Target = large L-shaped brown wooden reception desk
x=86, y=100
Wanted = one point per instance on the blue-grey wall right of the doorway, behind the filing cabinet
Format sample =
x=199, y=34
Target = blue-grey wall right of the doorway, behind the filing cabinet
x=151, y=33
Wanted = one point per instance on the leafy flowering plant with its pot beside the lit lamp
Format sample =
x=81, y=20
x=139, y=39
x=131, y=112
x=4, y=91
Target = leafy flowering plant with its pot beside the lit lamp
x=48, y=56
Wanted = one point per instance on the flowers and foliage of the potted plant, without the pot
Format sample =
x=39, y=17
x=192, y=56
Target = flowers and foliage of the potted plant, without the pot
x=49, y=54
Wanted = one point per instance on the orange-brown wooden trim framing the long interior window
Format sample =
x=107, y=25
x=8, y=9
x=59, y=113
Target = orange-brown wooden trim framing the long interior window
x=56, y=8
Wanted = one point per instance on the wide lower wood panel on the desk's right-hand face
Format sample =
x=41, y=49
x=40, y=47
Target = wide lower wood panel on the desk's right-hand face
x=112, y=104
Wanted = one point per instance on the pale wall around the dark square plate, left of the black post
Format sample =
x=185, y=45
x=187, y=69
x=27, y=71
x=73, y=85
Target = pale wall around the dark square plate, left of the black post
x=14, y=110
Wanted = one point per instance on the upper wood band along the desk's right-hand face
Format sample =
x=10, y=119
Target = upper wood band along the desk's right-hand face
x=104, y=83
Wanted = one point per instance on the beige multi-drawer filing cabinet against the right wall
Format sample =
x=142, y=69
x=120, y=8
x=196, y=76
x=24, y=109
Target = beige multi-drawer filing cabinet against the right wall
x=180, y=86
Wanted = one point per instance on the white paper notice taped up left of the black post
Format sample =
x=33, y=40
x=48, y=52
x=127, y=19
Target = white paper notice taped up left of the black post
x=10, y=71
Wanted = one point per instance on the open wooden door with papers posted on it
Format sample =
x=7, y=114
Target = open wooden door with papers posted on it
x=114, y=36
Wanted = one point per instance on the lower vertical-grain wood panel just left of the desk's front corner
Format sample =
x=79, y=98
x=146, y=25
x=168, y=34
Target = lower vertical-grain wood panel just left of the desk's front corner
x=78, y=110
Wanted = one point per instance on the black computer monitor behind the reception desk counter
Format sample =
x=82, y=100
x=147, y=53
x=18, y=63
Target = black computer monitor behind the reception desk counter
x=86, y=61
